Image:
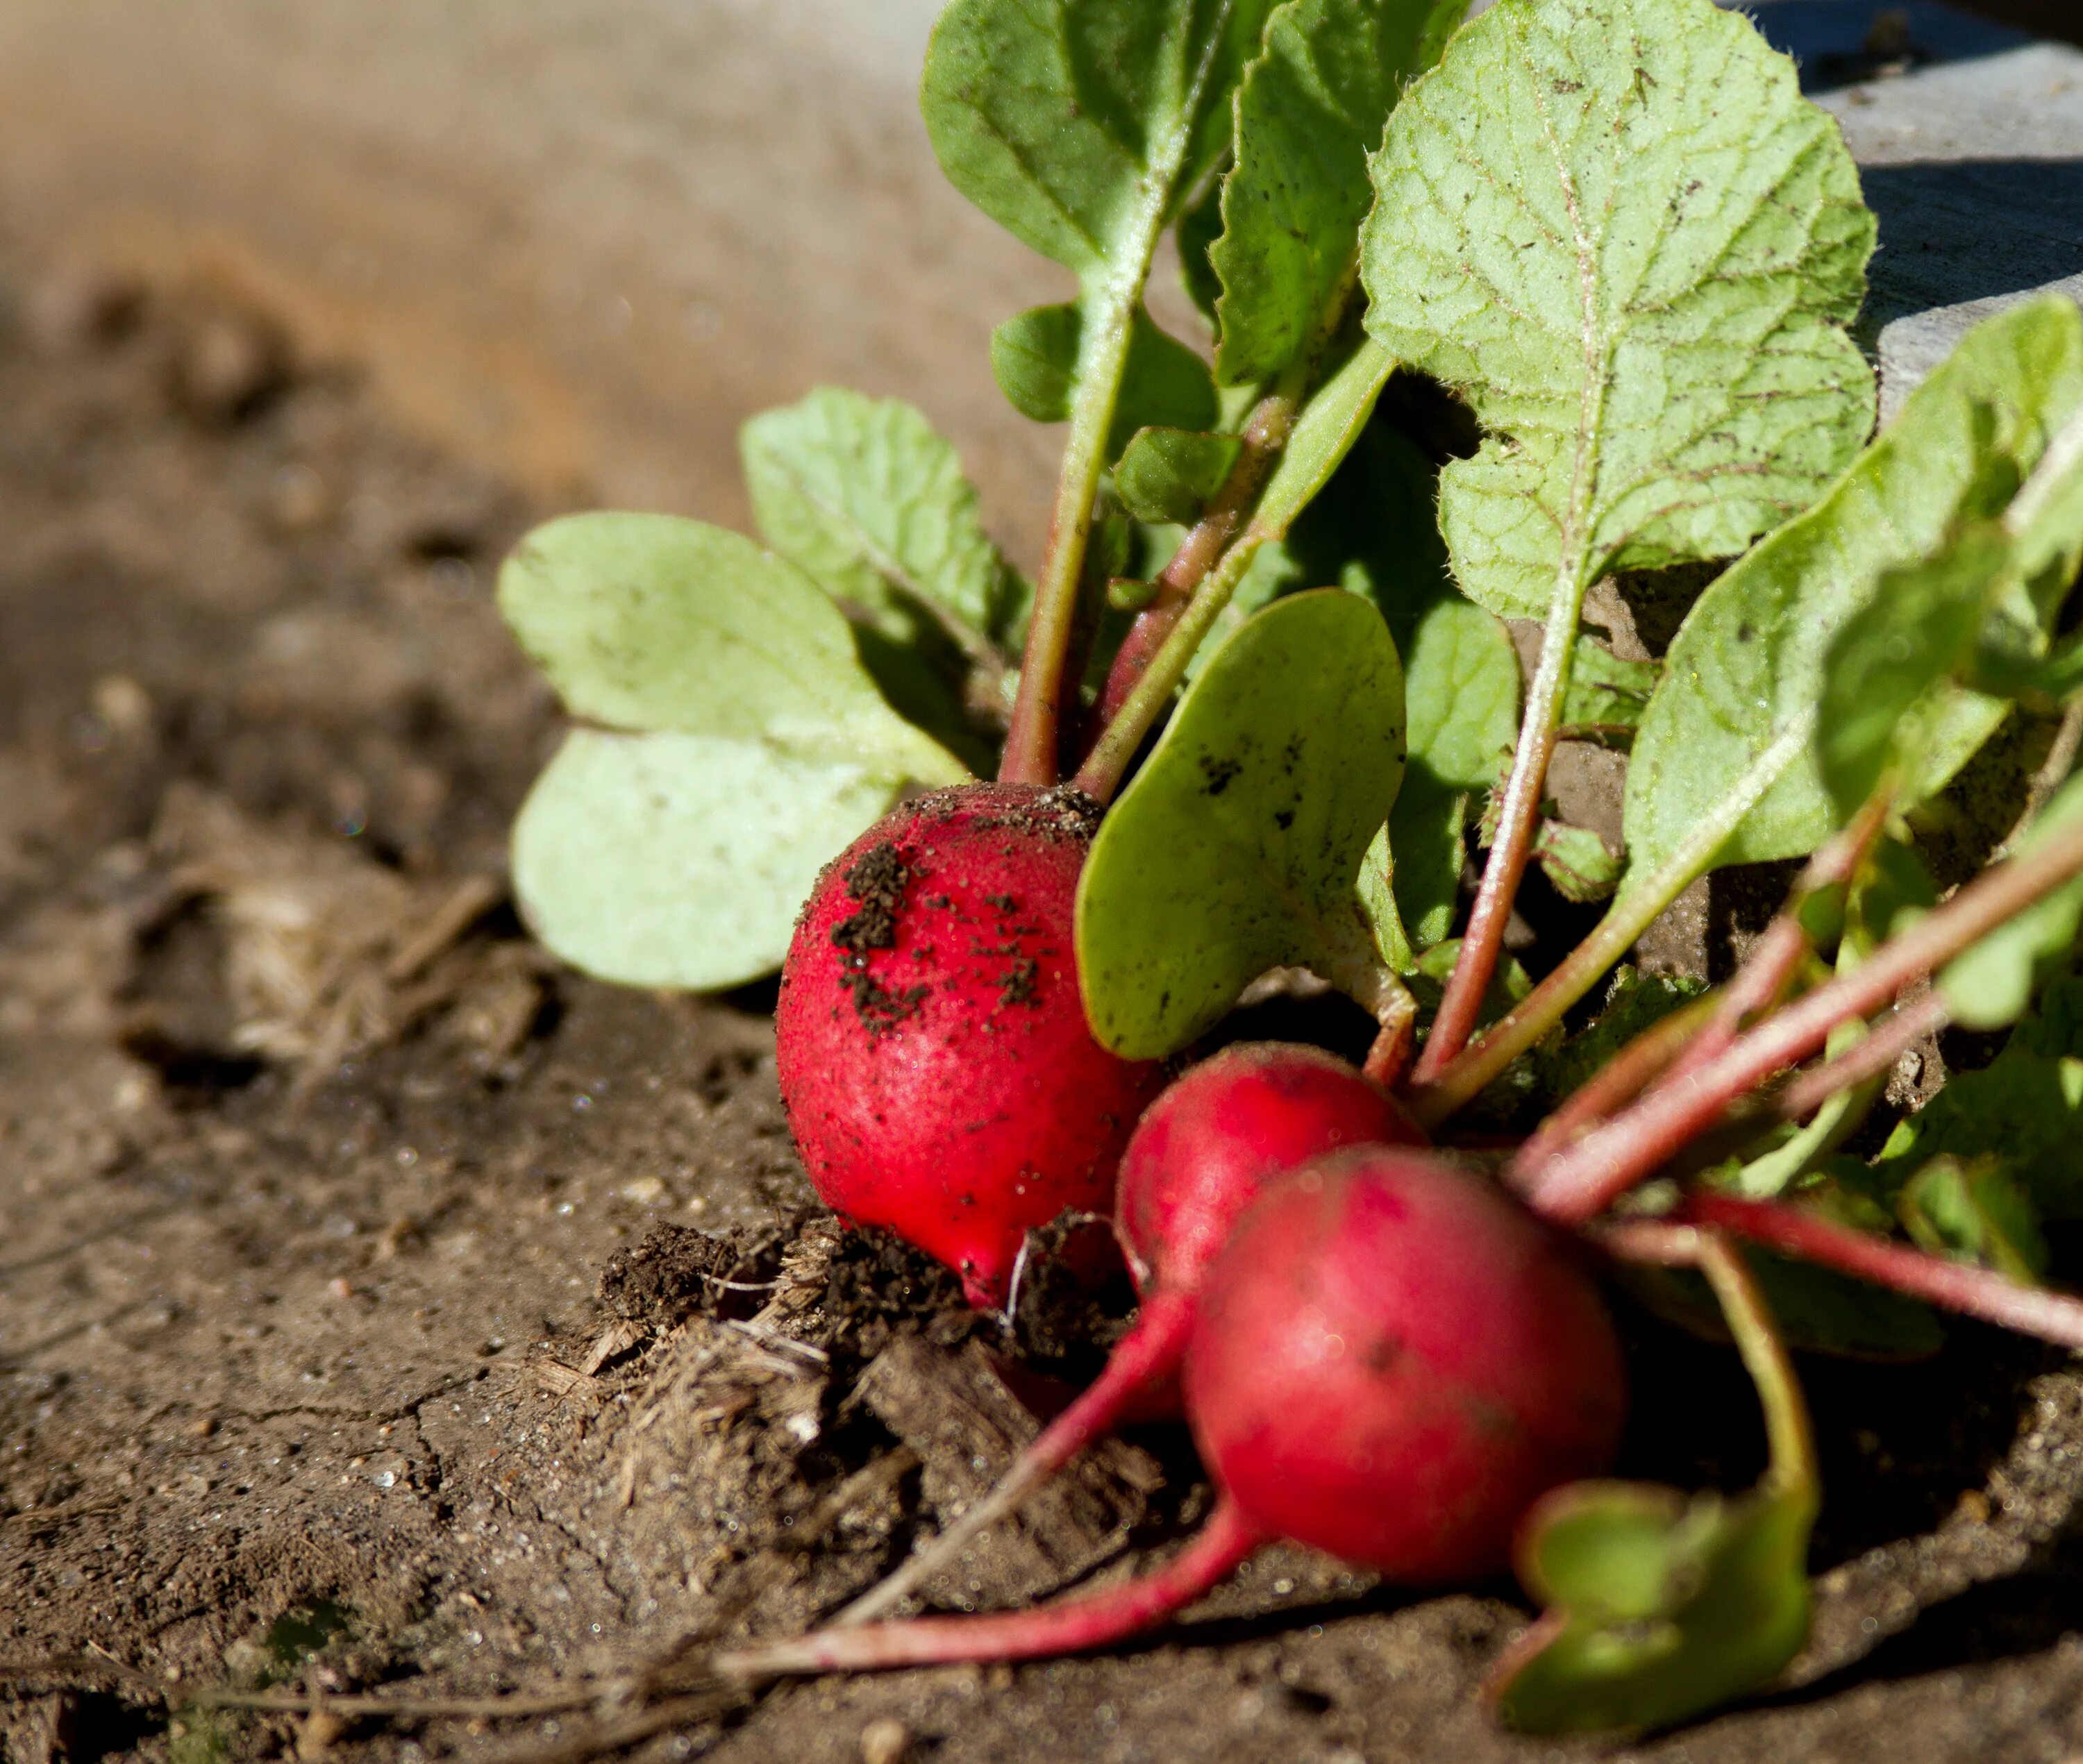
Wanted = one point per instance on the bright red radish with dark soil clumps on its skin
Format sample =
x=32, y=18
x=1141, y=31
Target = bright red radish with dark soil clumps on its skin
x=934, y=1055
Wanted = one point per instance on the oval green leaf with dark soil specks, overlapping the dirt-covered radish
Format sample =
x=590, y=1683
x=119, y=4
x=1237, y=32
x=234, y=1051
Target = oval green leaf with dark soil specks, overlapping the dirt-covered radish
x=1238, y=845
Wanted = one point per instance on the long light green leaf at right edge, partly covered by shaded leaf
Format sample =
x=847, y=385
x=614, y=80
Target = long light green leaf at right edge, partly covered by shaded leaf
x=1724, y=770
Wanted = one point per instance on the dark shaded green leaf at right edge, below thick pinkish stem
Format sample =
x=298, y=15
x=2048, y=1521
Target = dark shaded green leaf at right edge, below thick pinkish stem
x=2024, y=1109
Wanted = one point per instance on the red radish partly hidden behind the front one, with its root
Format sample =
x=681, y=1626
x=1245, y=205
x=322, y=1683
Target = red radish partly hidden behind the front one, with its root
x=1201, y=1155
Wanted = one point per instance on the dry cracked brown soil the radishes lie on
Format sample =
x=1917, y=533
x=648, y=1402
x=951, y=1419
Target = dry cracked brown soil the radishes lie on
x=386, y=1311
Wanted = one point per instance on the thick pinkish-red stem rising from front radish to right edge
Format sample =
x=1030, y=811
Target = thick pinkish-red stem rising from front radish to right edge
x=1582, y=1180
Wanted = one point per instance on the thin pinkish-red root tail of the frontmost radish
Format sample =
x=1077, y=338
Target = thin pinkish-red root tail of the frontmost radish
x=1072, y=1628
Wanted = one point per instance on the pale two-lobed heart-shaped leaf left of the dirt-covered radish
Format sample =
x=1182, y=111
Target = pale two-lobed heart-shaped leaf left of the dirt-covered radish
x=736, y=747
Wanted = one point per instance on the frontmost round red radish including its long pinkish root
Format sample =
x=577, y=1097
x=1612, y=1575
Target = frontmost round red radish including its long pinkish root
x=1390, y=1363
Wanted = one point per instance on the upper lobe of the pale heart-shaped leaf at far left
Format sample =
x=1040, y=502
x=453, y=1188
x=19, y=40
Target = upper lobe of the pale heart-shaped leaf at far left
x=649, y=622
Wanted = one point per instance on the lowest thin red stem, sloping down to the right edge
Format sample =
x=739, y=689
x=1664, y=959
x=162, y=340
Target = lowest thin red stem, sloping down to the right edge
x=1936, y=1280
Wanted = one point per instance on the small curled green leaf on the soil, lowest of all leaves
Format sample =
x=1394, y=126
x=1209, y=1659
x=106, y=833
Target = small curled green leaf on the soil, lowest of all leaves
x=1659, y=1607
